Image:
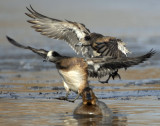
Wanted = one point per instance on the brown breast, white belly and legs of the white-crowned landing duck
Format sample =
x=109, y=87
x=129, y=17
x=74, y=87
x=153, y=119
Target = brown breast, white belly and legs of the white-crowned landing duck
x=74, y=74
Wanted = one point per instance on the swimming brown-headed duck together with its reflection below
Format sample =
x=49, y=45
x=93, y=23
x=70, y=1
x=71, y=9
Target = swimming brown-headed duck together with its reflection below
x=92, y=112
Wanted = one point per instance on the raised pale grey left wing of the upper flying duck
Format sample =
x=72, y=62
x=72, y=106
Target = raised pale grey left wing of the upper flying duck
x=71, y=32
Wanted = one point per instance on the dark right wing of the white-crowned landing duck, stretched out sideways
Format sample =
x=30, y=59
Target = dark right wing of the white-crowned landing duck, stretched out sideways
x=100, y=67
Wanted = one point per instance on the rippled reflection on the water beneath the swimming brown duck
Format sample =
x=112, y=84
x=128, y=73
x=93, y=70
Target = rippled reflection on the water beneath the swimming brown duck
x=118, y=119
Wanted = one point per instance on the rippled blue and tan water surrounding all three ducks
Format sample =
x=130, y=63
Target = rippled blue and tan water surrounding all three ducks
x=28, y=86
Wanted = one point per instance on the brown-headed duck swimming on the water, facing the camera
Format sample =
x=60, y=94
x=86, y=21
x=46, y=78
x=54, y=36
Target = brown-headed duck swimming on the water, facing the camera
x=91, y=106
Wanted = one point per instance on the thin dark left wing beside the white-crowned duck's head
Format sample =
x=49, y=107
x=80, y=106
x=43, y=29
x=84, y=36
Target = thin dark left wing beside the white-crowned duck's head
x=41, y=52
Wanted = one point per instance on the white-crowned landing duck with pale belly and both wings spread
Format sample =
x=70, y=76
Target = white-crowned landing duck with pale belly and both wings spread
x=75, y=71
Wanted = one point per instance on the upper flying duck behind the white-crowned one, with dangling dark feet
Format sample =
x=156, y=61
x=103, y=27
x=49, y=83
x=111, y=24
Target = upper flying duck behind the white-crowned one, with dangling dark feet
x=80, y=38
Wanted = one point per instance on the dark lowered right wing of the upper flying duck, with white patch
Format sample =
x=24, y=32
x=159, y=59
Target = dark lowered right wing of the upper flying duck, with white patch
x=109, y=46
